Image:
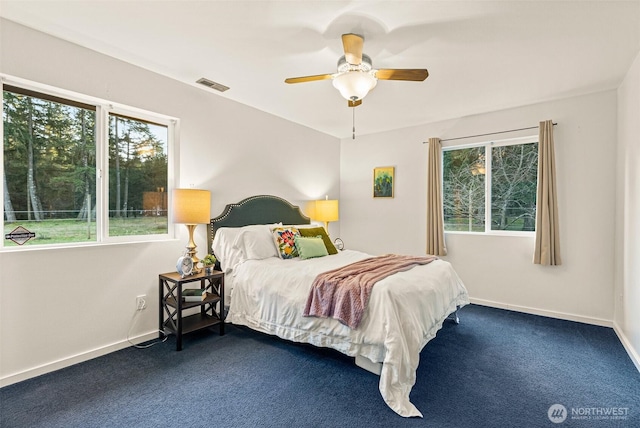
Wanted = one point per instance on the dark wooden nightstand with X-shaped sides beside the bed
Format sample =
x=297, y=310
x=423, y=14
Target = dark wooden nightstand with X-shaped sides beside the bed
x=172, y=307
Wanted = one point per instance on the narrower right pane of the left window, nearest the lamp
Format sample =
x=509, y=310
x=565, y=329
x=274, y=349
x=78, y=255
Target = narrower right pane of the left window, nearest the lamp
x=137, y=177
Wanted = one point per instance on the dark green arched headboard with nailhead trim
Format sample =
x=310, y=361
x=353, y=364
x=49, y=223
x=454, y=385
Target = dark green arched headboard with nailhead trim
x=260, y=209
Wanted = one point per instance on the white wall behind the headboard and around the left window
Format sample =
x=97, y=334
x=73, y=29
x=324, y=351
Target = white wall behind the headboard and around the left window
x=61, y=306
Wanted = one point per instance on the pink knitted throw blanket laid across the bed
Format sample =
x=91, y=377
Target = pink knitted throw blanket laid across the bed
x=343, y=293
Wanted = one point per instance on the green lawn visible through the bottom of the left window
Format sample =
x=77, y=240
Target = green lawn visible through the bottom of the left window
x=66, y=231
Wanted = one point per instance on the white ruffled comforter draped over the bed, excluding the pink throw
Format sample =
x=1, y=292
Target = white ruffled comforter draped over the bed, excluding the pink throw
x=405, y=311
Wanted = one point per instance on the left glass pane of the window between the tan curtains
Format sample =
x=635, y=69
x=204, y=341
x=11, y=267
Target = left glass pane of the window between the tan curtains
x=463, y=185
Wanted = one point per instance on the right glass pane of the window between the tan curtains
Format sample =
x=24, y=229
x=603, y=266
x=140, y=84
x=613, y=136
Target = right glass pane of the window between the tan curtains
x=514, y=171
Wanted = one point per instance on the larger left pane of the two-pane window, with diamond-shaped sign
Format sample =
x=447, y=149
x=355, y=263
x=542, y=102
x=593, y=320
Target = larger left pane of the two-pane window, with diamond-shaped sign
x=49, y=169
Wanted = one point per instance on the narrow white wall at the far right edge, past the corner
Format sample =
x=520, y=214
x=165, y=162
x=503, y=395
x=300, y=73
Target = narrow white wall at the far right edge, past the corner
x=627, y=284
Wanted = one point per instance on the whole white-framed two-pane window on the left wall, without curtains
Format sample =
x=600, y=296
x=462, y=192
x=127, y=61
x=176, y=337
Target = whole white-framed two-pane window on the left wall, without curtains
x=57, y=147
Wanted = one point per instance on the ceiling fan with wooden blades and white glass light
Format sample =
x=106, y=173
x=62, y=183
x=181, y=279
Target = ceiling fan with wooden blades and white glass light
x=356, y=76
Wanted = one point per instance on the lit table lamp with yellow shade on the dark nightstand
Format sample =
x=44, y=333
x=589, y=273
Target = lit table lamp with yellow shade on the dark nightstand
x=191, y=207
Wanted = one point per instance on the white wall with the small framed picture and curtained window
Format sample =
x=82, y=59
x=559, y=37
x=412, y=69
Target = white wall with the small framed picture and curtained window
x=498, y=270
